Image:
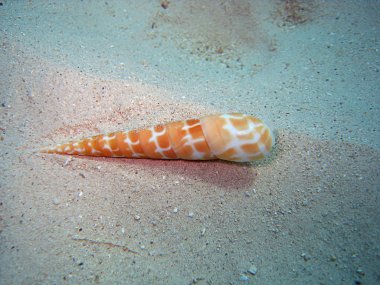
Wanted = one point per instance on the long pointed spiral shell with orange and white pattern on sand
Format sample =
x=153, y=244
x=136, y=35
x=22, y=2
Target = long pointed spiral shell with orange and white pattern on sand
x=233, y=137
